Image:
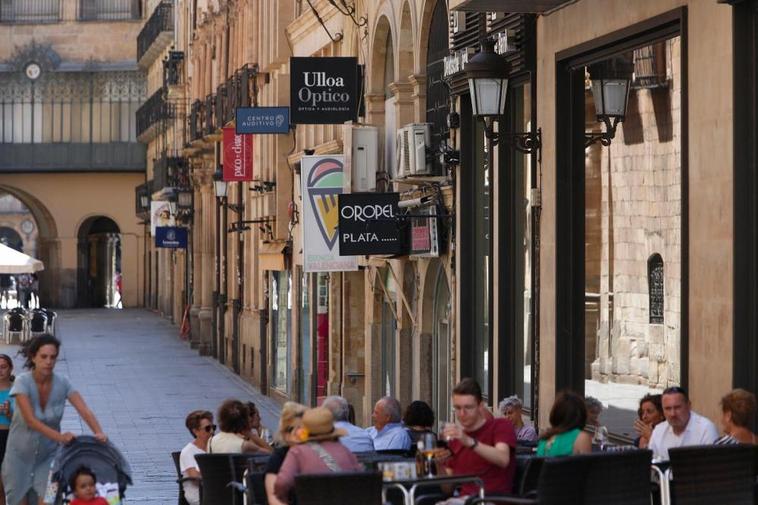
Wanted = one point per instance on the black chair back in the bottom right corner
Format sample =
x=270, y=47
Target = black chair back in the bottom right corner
x=704, y=475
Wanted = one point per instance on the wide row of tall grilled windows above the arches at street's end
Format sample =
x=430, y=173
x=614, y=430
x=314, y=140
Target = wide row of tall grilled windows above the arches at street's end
x=76, y=107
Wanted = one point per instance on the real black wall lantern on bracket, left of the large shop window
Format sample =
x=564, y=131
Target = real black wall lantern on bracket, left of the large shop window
x=487, y=74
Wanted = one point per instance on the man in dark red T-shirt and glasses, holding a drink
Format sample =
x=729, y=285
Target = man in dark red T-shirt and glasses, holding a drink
x=479, y=444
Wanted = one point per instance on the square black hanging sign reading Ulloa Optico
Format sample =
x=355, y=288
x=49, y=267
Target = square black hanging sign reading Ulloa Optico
x=324, y=90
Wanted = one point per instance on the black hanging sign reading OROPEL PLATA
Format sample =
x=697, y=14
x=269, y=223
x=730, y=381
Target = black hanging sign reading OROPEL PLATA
x=370, y=224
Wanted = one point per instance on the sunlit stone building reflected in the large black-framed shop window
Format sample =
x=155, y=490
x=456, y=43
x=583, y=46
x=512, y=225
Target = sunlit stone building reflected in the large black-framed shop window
x=632, y=203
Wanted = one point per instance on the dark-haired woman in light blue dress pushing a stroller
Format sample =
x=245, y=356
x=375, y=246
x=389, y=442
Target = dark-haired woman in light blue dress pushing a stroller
x=40, y=396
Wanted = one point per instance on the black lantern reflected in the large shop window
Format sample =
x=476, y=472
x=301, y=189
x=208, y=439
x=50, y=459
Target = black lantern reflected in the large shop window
x=610, y=82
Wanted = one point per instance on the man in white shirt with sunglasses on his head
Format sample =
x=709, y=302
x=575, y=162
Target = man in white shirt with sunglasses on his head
x=683, y=427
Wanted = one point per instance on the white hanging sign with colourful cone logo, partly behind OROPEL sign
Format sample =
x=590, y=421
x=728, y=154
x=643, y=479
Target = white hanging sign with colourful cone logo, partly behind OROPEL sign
x=322, y=182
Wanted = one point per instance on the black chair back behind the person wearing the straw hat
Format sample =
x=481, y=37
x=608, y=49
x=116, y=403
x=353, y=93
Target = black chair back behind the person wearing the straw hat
x=339, y=488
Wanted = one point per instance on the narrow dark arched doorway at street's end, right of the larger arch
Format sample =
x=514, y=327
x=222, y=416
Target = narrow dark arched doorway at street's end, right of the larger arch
x=99, y=263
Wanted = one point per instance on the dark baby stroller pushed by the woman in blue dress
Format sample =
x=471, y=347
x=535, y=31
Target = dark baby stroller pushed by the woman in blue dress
x=108, y=464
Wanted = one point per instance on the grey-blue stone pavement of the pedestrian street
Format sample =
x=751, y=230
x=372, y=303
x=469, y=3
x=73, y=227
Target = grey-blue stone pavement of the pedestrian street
x=141, y=380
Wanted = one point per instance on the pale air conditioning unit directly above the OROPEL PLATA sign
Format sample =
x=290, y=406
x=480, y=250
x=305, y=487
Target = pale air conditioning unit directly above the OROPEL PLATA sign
x=361, y=146
